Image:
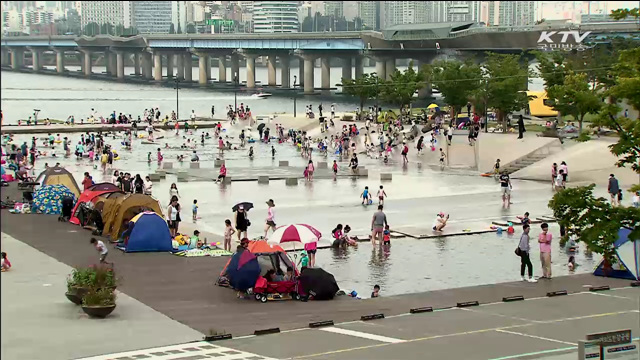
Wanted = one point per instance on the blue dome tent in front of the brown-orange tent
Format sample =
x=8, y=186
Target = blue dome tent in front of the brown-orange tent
x=147, y=232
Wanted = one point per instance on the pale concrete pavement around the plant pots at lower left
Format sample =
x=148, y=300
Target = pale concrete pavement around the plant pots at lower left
x=38, y=322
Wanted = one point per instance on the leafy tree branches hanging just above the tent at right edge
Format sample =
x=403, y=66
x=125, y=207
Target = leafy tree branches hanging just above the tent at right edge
x=593, y=220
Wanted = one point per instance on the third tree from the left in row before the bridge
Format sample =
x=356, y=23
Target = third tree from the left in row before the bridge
x=456, y=81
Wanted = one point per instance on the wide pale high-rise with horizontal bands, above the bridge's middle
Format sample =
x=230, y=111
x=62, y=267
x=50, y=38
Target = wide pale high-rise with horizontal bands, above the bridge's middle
x=275, y=16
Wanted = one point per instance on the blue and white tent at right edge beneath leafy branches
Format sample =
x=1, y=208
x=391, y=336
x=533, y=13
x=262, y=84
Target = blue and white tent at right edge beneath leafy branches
x=627, y=264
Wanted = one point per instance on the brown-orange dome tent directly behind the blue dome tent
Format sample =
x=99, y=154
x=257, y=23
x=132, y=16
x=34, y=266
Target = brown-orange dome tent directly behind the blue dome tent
x=118, y=211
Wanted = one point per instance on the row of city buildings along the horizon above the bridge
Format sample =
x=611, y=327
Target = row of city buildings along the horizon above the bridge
x=287, y=16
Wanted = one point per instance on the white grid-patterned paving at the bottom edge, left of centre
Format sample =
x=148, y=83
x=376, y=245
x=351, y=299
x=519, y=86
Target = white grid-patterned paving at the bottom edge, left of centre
x=189, y=351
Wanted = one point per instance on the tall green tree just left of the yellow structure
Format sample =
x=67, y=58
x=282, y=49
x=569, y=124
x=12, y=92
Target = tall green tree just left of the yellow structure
x=504, y=75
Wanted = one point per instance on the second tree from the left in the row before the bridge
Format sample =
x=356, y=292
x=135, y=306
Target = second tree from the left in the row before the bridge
x=402, y=86
